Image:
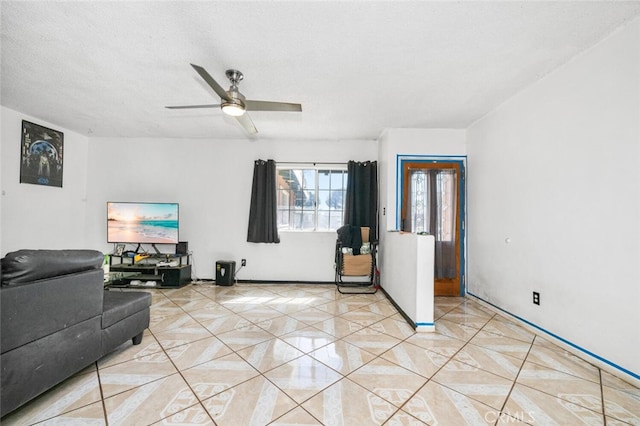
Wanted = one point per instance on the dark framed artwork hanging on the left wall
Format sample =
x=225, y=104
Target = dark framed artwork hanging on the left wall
x=41, y=154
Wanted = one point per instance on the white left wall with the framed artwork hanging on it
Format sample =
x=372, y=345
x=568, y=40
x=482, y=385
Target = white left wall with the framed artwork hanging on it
x=35, y=216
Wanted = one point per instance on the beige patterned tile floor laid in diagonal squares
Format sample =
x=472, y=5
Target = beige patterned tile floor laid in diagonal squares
x=306, y=355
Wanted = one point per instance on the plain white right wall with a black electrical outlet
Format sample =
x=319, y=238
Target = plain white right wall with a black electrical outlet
x=556, y=169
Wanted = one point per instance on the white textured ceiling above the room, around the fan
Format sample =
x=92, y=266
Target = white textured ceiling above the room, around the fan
x=109, y=68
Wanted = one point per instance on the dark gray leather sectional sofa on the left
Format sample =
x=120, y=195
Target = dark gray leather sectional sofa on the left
x=56, y=318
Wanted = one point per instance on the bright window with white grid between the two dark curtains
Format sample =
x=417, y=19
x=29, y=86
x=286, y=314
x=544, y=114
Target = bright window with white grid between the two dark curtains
x=311, y=198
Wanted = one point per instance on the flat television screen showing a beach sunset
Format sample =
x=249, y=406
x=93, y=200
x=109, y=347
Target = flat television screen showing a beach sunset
x=151, y=223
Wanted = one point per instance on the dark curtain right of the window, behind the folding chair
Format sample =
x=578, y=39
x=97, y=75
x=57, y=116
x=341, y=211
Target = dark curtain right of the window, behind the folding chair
x=361, y=206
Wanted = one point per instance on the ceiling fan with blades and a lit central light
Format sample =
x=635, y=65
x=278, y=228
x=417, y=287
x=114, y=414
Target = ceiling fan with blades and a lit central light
x=233, y=103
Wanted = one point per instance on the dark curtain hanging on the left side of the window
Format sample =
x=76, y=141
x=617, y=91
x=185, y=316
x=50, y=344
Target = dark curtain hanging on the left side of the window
x=263, y=216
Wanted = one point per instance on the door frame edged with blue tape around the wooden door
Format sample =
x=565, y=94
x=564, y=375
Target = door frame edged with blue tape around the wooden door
x=461, y=161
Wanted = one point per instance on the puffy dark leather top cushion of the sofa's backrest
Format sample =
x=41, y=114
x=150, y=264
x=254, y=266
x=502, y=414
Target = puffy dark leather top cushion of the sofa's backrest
x=30, y=265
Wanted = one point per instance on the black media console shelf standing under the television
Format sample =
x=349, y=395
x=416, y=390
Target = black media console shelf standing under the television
x=152, y=269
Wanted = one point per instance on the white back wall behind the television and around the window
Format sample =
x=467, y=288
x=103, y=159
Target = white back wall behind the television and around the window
x=211, y=179
